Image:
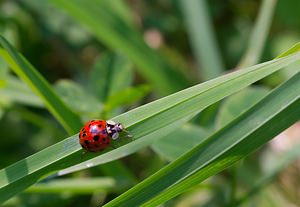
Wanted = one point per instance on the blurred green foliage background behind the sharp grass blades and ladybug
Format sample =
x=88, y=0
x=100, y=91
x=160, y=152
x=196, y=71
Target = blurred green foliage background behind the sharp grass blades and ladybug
x=79, y=60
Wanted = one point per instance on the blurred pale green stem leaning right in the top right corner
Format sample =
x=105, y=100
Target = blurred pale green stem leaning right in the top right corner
x=259, y=34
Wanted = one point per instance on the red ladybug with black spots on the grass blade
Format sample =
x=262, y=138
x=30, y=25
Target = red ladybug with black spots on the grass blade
x=96, y=135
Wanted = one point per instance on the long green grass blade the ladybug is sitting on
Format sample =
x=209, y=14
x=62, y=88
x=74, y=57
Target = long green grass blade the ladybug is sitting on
x=146, y=123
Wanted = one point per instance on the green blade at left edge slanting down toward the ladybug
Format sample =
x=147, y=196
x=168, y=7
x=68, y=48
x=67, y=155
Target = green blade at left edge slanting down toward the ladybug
x=69, y=120
